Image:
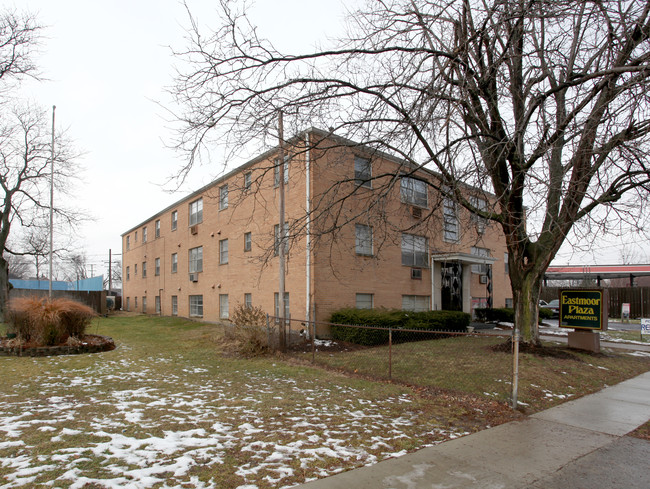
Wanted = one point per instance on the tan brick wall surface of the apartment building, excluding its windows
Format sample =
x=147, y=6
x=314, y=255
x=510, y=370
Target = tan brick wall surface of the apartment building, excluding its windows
x=337, y=273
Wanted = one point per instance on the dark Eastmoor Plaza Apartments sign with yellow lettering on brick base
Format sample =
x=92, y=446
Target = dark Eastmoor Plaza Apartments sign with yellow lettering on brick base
x=584, y=310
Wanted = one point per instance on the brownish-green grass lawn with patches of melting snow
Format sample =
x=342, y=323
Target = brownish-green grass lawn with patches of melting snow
x=167, y=408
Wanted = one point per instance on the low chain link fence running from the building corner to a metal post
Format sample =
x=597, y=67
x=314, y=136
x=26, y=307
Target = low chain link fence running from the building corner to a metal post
x=476, y=361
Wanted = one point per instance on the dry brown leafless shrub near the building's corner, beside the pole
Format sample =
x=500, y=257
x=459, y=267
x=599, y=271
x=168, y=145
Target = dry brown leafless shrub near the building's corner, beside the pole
x=249, y=330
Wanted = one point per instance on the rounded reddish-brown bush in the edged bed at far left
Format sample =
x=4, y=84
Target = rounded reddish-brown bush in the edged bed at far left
x=48, y=322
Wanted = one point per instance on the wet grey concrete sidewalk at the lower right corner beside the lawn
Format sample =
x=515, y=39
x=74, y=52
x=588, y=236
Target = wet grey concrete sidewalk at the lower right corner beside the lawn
x=579, y=444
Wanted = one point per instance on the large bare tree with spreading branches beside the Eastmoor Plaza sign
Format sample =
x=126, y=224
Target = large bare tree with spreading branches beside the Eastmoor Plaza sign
x=542, y=105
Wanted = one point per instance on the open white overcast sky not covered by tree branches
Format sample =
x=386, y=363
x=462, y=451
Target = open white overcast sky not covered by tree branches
x=108, y=62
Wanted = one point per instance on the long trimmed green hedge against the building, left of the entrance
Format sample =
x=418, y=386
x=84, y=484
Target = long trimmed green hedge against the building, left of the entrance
x=451, y=321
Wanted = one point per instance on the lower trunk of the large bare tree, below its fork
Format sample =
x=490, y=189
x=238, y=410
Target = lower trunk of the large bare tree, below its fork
x=526, y=291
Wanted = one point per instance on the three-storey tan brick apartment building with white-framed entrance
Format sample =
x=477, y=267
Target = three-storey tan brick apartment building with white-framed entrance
x=358, y=236
